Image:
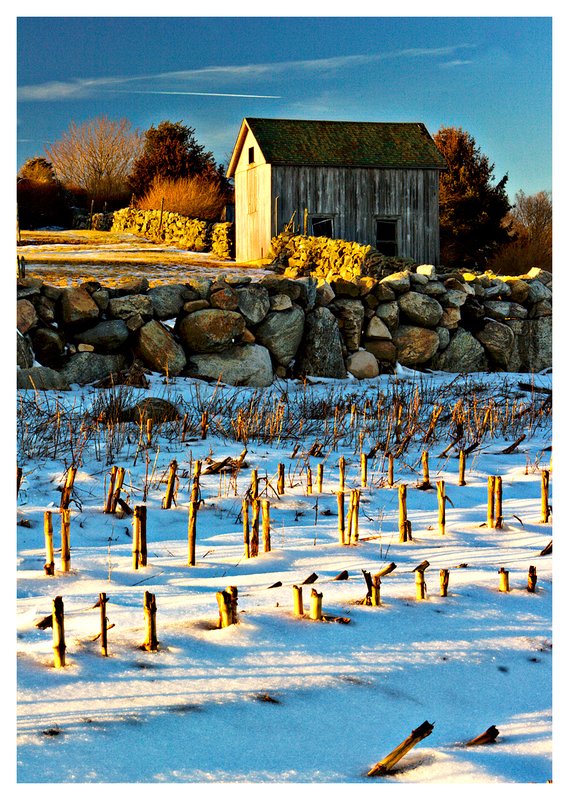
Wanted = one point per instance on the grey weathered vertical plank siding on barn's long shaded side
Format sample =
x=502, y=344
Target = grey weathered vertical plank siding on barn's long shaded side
x=356, y=197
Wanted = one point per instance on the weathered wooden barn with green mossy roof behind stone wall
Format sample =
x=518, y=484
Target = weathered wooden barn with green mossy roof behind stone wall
x=370, y=182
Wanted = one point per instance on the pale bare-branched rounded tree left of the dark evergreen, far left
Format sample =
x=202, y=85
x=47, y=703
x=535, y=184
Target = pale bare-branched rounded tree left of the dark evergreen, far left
x=97, y=157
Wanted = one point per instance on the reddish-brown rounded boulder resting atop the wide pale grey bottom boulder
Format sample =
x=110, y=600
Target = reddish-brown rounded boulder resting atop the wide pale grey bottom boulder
x=210, y=330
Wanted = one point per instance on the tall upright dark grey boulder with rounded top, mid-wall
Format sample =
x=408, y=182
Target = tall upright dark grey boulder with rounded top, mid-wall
x=320, y=353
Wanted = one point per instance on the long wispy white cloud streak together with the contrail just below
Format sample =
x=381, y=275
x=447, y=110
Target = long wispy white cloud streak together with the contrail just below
x=220, y=76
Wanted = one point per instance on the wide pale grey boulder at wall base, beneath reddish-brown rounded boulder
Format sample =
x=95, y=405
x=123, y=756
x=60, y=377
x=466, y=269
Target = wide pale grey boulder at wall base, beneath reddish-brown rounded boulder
x=240, y=365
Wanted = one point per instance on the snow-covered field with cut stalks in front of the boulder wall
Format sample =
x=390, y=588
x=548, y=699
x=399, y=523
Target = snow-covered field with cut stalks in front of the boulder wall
x=276, y=697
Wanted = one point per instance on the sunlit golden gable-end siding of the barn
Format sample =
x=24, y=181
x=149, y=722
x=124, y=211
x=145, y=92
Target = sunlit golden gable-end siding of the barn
x=252, y=204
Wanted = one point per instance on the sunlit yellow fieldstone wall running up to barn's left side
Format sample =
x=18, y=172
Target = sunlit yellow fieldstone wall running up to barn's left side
x=176, y=230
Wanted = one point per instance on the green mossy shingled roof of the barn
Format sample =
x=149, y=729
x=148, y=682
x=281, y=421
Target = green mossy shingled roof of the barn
x=346, y=144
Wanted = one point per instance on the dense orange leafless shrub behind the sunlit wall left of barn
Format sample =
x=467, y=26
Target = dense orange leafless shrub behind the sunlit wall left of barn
x=196, y=197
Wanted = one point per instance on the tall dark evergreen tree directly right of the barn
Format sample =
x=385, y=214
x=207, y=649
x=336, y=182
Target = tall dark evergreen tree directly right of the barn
x=471, y=207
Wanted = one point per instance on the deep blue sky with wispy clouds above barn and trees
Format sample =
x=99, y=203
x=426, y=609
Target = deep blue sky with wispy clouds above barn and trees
x=489, y=75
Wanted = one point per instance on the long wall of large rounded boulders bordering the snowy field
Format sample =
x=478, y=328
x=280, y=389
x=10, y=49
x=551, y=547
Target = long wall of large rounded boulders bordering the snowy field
x=247, y=332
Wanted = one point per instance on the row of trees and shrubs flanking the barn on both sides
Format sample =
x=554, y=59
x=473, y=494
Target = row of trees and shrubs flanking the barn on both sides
x=107, y=164
